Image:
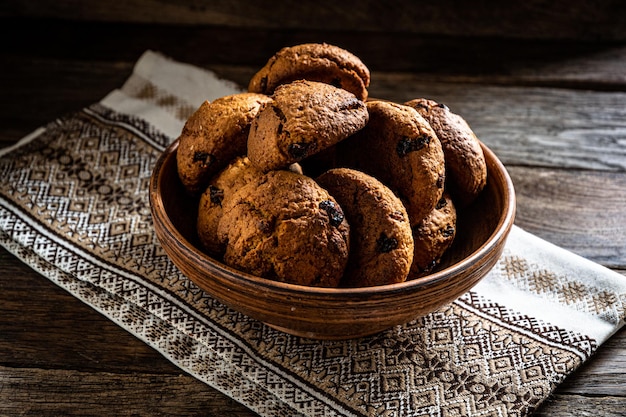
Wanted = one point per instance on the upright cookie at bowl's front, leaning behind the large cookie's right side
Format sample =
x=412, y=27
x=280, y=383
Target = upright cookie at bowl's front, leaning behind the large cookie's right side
x=381, y=250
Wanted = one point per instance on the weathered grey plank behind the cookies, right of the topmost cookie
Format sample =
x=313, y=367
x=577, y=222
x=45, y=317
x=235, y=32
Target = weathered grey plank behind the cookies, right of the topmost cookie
x=536, y=126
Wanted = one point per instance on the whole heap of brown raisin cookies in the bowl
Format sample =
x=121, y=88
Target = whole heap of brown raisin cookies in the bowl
x=304, y=179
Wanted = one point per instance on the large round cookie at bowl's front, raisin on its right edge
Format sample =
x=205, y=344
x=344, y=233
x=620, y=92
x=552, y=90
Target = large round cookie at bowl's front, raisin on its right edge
x=284, y=226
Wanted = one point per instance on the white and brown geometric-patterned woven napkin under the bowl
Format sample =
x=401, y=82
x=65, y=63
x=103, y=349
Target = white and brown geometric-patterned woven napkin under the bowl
x=74, y=206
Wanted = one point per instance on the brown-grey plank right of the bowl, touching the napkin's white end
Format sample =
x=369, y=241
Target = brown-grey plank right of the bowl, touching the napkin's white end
x=579, y=210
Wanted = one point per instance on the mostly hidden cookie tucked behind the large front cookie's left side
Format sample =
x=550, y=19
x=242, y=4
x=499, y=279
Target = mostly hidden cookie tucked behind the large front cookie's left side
x=238, y=173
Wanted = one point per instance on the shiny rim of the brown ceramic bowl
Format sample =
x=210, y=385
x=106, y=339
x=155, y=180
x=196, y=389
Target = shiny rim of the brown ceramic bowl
x=505, y=223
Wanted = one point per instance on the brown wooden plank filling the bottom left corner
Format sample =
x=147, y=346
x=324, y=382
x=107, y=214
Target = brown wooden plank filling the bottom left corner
x=54, y=392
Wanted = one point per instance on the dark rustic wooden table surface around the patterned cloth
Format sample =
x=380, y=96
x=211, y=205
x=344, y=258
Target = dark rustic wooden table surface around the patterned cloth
x=522, y=94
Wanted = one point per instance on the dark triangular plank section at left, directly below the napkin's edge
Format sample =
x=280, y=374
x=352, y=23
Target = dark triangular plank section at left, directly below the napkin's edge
x=43, y=326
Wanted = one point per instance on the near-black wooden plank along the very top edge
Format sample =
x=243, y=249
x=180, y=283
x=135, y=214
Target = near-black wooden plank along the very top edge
x=574, y=19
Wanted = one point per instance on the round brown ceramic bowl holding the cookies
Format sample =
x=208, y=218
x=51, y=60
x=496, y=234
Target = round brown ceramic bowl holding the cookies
x=330, y=313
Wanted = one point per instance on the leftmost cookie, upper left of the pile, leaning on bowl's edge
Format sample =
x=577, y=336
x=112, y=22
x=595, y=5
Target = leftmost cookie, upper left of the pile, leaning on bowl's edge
x=214, y=134
